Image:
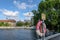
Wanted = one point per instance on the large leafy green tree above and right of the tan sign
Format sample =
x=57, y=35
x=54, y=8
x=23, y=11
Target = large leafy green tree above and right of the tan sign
x=49, y=7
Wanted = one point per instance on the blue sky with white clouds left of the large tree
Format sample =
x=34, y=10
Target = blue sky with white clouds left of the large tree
x=17, y=9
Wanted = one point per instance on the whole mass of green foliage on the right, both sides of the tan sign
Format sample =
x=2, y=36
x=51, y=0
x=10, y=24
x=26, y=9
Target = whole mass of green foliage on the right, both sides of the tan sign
x=52, y=10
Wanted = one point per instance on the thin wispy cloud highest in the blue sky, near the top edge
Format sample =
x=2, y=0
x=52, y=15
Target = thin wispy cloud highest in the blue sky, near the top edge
x=23, y=5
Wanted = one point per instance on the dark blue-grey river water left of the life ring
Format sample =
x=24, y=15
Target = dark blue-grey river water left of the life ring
x=17, y=34
